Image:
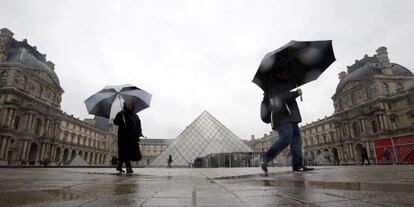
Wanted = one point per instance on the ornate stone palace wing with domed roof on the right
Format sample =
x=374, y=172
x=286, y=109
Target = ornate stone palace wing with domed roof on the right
x=373, y=100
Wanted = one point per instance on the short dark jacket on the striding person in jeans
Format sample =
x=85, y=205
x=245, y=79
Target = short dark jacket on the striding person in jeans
x=285, y=108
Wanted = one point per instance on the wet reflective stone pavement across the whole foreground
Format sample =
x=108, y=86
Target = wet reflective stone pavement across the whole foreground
x=327, y=186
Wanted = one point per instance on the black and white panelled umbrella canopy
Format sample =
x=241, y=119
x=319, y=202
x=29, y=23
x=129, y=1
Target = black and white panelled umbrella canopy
x=102, y=103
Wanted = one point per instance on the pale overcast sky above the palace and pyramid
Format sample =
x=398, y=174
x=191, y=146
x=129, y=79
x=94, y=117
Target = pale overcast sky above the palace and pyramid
x=202, y=55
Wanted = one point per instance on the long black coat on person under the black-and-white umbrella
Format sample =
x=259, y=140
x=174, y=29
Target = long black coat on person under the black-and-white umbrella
x=128, y=135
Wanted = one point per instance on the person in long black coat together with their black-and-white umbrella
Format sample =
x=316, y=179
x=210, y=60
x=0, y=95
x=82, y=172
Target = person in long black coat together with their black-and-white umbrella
x=125, y=117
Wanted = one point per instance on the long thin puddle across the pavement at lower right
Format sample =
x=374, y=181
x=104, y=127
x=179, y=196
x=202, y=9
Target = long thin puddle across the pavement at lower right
x=352, y=186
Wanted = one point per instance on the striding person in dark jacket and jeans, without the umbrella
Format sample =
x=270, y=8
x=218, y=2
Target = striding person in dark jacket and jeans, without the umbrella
x=285, y=116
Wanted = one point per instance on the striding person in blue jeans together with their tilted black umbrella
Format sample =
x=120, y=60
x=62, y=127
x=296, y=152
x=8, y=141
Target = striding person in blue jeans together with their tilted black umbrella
x=280, y=71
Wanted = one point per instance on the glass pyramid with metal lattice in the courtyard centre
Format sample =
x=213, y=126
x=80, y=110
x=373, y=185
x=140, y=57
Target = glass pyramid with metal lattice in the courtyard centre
x=204, y=136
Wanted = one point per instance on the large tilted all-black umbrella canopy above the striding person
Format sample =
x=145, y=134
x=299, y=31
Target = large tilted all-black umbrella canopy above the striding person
x=302, y=61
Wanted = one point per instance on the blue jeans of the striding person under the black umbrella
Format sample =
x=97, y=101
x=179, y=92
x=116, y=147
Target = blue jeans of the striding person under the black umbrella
x=289, y=134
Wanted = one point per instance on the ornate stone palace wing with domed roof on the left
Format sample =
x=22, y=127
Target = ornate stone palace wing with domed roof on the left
x=32, y=125
